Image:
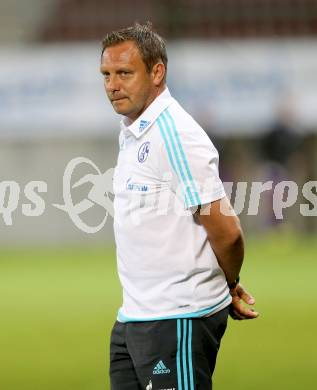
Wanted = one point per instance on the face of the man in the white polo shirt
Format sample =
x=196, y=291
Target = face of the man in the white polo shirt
x=129, y=86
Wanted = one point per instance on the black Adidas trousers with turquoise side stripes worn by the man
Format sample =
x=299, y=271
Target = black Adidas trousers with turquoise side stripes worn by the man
x=173, y=354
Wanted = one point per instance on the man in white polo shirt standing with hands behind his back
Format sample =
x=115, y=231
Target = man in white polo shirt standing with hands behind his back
x=179, y=271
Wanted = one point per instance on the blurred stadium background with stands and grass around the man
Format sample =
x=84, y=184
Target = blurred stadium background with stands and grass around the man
x=247, y=71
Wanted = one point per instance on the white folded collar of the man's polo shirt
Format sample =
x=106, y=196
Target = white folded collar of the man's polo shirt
x=144, y=122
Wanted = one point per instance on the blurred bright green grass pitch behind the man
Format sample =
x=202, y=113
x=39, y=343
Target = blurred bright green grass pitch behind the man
x=57, y=307
